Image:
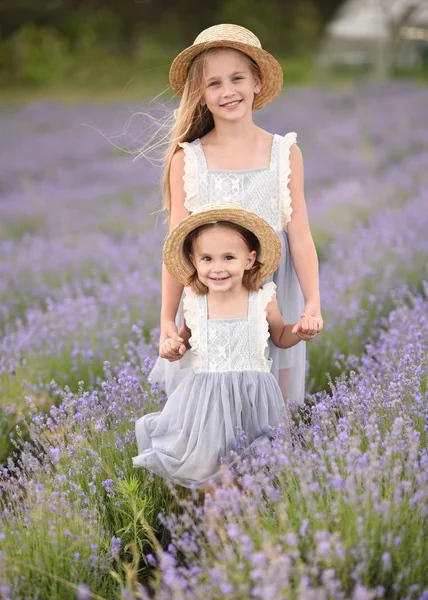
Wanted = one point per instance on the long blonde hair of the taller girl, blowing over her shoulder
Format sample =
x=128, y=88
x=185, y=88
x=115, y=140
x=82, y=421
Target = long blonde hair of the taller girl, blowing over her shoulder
x=192, y=119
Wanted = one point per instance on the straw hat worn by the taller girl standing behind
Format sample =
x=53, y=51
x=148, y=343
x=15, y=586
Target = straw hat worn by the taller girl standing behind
x=239, y=38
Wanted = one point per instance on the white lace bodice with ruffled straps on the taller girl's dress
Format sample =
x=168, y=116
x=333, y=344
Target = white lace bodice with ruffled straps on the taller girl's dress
x=263, y=191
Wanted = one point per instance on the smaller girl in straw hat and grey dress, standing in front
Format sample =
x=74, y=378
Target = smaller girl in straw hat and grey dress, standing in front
x=222, y=253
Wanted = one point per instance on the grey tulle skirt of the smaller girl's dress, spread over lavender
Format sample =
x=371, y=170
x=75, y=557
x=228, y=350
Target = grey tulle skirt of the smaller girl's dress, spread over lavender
x=206, y=418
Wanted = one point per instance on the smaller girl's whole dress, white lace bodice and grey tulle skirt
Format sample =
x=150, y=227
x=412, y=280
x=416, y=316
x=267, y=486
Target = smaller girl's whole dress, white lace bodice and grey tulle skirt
x=229, y=391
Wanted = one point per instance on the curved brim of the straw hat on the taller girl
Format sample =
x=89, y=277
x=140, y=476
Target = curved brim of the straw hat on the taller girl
x=271, y=71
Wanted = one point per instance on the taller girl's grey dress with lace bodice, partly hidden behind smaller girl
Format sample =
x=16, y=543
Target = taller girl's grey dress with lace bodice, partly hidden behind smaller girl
x=264, y=191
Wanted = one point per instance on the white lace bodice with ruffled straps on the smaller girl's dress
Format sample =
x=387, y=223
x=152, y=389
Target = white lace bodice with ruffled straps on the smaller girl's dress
x=220, y=345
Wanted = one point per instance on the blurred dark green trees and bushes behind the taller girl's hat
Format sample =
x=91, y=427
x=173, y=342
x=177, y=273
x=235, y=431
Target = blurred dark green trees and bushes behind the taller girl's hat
x=45, y=42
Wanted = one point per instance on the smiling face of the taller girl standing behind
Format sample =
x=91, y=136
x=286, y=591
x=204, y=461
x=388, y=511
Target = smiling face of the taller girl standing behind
x=230, y=85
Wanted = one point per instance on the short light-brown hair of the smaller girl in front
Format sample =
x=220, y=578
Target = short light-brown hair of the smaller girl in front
x=252, y=276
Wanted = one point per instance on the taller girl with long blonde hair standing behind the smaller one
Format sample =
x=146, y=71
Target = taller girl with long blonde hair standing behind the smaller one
x=217, y=154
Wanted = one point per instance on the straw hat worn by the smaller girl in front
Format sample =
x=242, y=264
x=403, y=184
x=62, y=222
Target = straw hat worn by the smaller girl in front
x=270, y=244
